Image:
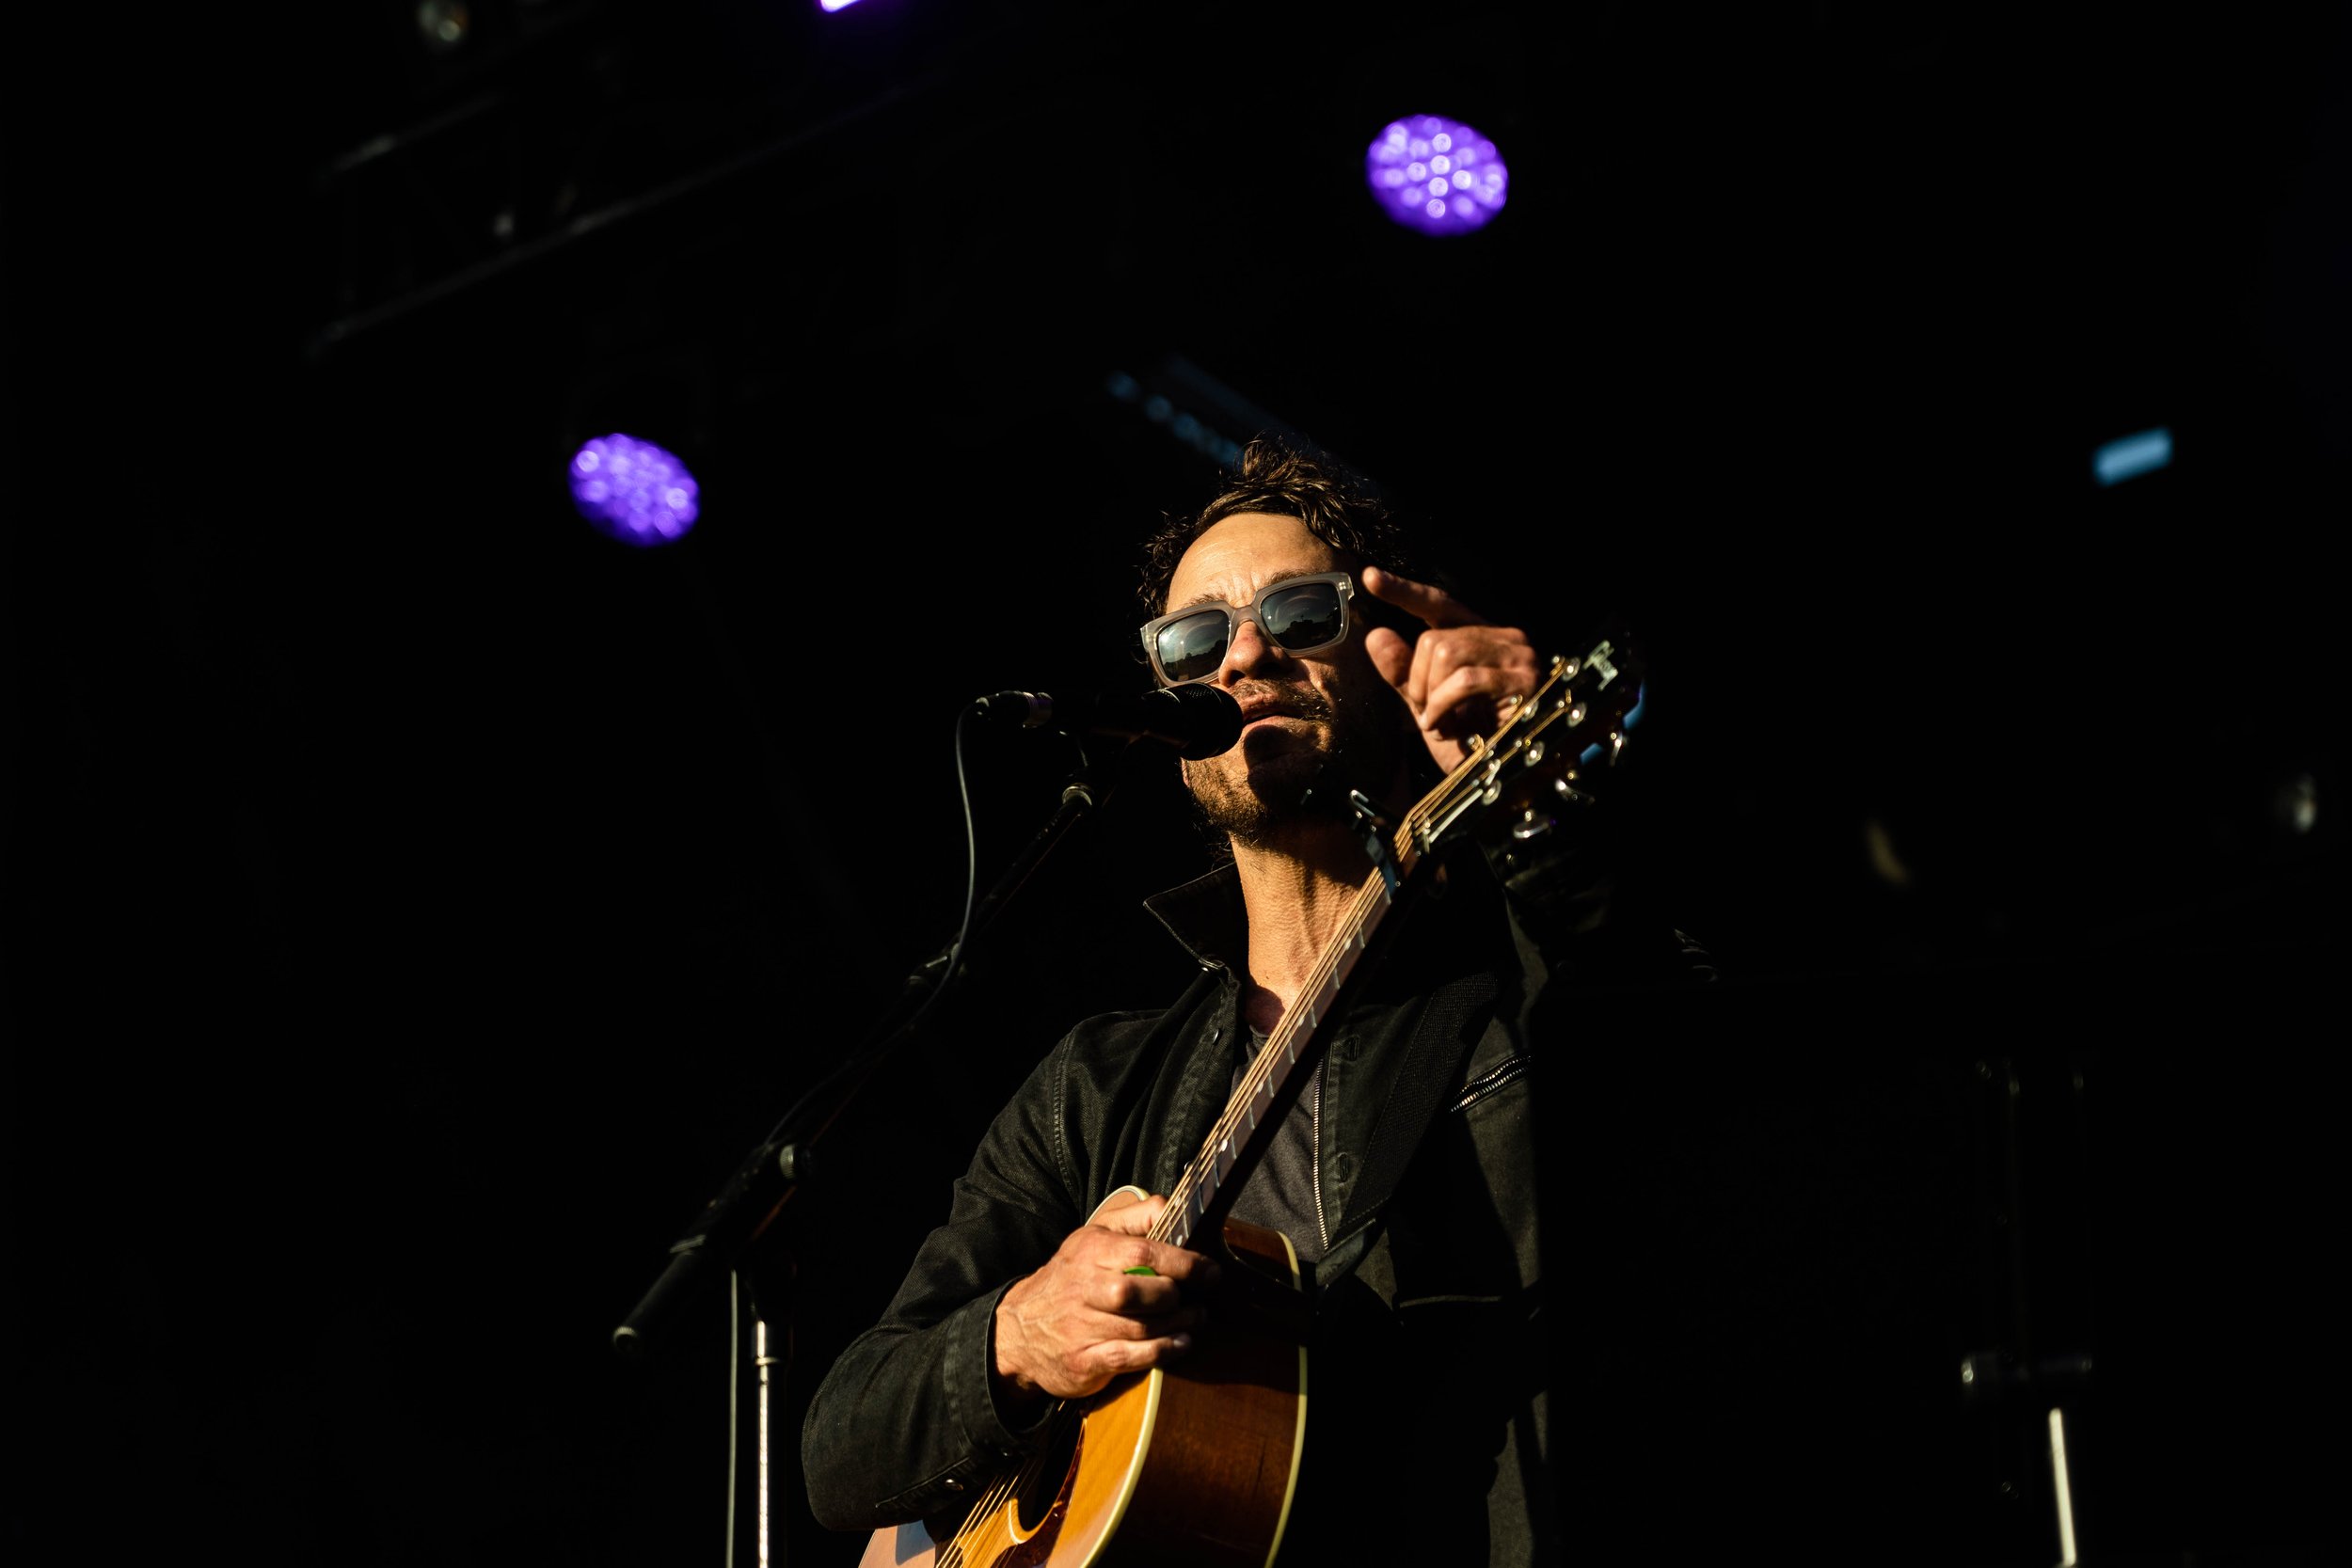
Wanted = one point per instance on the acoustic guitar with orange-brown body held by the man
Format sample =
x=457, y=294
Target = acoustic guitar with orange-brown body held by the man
x=1194, y=1466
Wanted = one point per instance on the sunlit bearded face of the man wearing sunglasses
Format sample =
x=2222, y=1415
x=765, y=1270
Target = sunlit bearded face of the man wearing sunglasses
x=1297, y=711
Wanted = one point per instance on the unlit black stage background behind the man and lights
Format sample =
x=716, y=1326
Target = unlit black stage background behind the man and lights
x=422, y=904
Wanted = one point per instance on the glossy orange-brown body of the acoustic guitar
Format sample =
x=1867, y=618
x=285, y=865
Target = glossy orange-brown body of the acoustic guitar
x=1189, y=1466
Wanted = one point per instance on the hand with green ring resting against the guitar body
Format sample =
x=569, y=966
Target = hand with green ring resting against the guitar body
x=1109, y=1301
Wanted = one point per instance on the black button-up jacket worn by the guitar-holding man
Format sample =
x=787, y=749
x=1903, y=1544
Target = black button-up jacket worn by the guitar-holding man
x=1429, y=1362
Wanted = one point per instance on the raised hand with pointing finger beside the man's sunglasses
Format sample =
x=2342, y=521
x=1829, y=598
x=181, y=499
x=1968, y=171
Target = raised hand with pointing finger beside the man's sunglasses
x=1457, y=678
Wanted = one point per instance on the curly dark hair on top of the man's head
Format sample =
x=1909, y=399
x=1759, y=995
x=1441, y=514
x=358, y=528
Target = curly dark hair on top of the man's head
x=1342, y=507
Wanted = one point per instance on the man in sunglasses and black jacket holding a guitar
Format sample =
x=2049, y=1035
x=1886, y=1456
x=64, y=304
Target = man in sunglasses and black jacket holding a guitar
x=1405, y=1170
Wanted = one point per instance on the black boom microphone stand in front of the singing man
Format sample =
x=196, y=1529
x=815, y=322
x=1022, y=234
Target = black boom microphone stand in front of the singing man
x=747, y=1207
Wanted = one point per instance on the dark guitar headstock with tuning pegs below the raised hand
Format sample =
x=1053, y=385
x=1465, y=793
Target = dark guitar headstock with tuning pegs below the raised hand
x=1530, y=770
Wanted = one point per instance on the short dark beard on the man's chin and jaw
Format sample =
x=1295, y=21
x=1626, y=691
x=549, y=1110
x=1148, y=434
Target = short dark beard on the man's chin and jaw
x=1257, y=791
